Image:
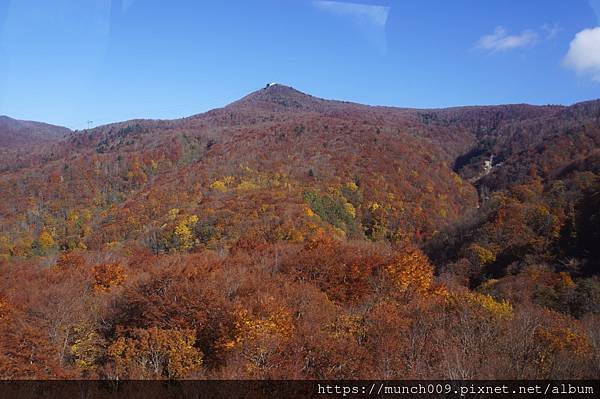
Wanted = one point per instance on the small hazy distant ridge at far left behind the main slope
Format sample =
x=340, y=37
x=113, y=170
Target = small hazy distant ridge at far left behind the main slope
x=18, y=134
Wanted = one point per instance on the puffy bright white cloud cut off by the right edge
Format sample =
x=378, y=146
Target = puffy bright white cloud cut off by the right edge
x=584, y=53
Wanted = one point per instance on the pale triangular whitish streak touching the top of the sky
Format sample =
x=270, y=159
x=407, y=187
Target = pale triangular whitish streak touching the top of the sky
x=369, y=19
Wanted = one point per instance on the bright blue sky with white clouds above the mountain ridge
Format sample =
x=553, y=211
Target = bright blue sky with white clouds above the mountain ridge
x=70, y=61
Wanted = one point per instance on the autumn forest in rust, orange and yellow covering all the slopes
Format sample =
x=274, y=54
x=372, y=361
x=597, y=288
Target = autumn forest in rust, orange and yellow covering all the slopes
x=286, y=236
